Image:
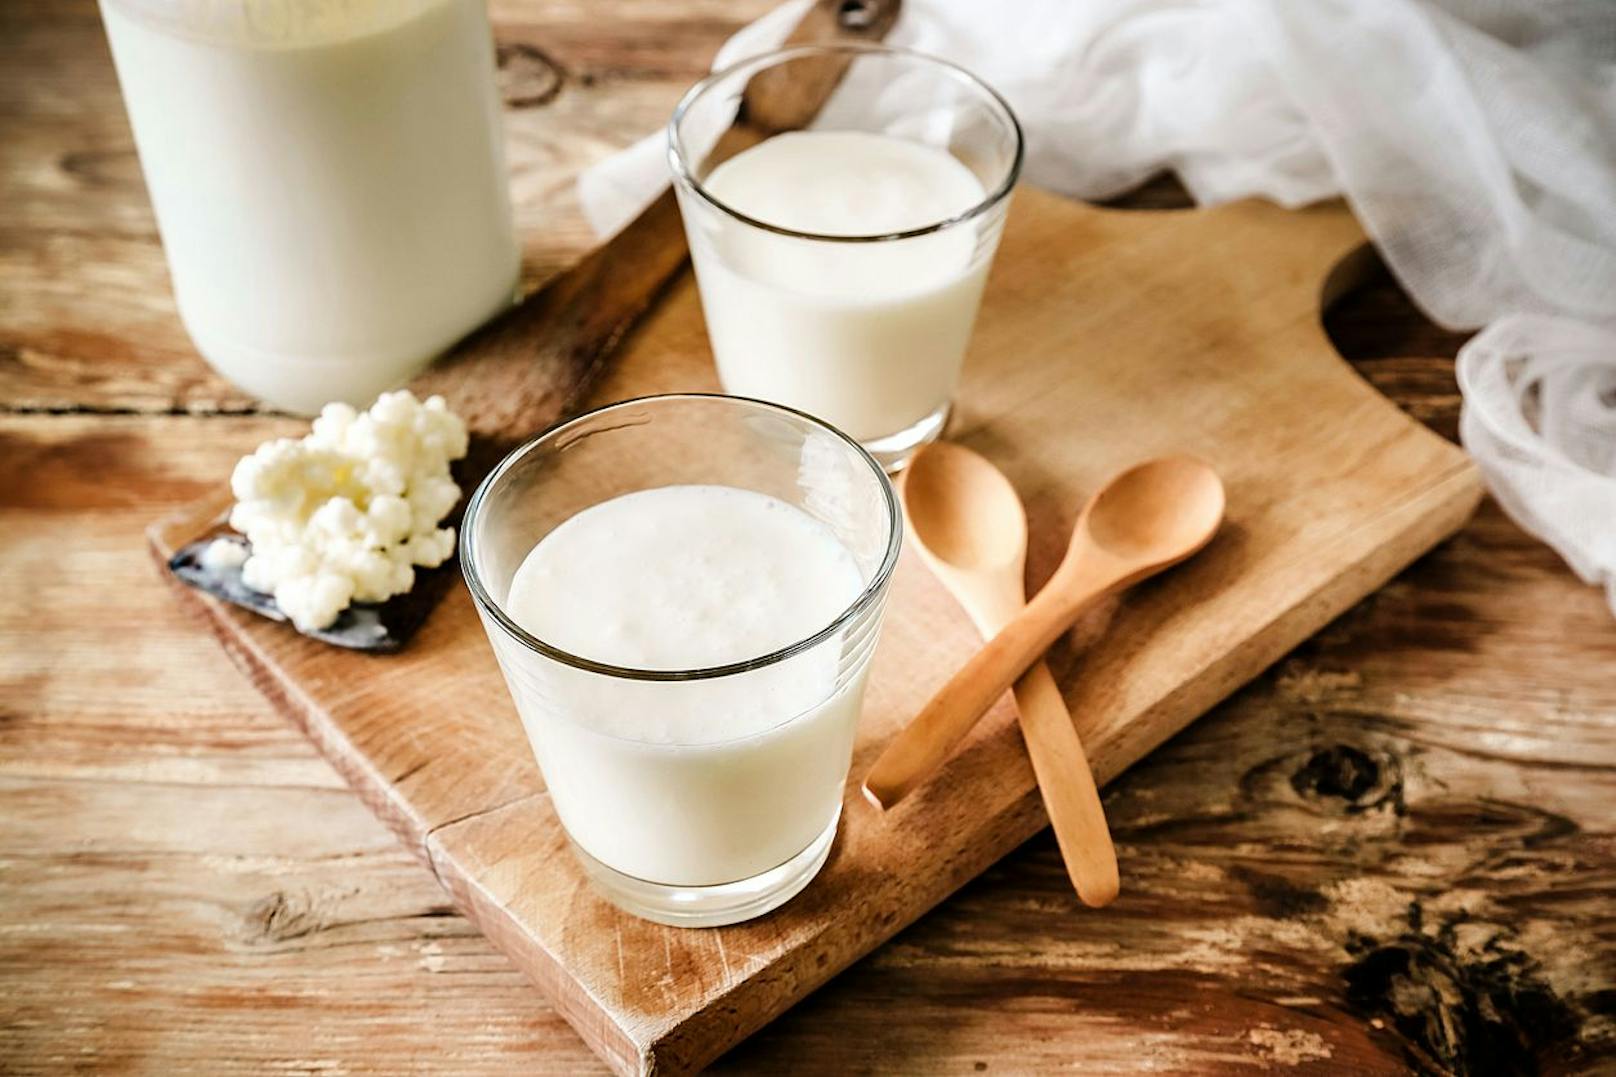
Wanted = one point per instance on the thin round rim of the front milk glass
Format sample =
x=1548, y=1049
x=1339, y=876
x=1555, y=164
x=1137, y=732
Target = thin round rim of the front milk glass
x=867, y=598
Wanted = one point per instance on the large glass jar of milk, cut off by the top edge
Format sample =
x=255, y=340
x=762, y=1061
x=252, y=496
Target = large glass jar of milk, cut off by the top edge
x=329, y=182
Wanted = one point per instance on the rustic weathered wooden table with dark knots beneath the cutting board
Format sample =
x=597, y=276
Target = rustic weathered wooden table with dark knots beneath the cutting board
x=1392, y=851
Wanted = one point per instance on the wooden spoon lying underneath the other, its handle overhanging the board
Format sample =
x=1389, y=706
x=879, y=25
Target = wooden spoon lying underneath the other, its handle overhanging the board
x=977, y=546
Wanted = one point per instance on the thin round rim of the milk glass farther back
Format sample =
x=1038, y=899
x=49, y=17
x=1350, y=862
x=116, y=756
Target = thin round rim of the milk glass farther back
x=686, y=177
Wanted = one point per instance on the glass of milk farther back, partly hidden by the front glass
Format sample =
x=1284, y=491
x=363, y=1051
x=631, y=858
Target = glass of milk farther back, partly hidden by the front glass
x=841, y=266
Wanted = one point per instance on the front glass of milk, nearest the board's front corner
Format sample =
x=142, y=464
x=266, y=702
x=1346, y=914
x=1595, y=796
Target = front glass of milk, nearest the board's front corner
x=684, y=594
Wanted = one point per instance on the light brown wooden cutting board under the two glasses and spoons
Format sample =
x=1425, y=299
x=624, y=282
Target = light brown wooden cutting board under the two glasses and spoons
x=1105, y=337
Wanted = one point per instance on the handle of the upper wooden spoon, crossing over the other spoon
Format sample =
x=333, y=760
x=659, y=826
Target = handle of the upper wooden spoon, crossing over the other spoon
x=928, y=740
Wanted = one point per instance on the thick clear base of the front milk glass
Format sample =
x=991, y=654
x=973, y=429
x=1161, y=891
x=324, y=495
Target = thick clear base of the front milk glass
x=712, y=906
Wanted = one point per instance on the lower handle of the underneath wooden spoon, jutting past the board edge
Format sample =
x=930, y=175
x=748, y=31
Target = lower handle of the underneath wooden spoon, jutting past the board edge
x=1067, y=787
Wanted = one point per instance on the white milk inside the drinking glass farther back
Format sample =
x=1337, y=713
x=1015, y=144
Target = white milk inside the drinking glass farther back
x=869, y=337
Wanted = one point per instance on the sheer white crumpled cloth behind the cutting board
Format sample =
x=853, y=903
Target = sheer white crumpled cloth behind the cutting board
x=1476, y=141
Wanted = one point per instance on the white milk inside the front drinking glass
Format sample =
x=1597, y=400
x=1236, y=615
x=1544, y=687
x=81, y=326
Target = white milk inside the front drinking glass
x=701, y=782
